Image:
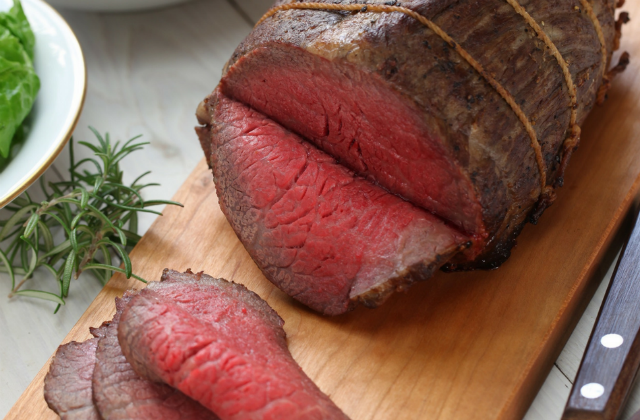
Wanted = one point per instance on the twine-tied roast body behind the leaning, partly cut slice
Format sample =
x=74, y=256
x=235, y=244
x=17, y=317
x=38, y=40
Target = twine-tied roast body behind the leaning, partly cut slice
x=391, y=100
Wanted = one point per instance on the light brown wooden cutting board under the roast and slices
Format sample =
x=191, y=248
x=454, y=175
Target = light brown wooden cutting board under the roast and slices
x=474, y=345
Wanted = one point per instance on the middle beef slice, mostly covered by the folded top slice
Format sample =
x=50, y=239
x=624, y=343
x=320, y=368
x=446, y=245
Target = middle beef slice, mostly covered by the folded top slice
x=121, y=394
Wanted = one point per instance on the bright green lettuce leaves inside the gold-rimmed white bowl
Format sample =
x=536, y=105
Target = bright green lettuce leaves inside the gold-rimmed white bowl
x=19, y=83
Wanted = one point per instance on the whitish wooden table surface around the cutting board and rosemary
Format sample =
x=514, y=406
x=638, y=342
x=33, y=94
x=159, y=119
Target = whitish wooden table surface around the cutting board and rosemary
x=147, y=72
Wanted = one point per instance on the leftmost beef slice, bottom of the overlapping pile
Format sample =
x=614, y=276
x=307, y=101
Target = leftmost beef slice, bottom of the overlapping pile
x=67, y=386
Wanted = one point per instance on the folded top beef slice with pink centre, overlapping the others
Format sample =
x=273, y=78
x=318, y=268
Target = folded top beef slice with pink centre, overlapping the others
x=222, y=345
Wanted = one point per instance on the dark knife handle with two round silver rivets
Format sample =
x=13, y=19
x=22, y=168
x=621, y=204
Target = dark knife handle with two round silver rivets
x=611, y=360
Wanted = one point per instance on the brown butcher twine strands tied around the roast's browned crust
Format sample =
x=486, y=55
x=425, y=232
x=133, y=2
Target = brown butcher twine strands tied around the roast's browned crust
x=574, y=131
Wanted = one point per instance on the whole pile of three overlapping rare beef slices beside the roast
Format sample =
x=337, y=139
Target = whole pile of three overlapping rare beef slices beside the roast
x=190, y=347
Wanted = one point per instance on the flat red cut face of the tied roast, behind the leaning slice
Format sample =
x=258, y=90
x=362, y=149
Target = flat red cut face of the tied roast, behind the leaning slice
x=244, y=80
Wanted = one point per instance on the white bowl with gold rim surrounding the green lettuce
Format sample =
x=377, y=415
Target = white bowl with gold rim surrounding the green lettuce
x=60, y=66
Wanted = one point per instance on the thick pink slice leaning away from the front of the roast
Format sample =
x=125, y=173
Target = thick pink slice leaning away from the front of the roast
x=323, y=235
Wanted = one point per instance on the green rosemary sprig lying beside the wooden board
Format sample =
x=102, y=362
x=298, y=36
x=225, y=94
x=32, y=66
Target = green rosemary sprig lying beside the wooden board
x=96, y=212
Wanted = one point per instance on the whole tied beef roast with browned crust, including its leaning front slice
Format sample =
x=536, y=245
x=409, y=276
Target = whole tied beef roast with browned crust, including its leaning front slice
x=357, y=148
